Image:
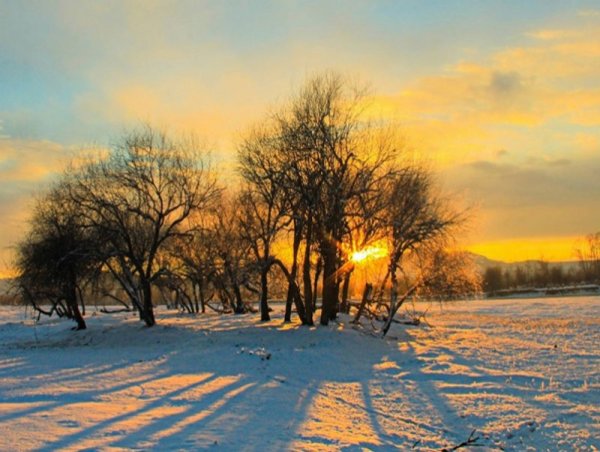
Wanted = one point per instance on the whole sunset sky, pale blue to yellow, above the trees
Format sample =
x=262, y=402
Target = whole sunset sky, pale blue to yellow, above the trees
x=502, y=97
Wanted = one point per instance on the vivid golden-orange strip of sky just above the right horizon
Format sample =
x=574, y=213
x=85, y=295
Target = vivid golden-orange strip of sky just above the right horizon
x=520, y=249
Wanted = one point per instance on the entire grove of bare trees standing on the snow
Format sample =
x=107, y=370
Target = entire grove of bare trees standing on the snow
x=318, y=181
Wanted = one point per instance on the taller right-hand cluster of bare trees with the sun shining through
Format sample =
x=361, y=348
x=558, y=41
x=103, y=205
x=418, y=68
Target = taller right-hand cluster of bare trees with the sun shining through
x=331, y=179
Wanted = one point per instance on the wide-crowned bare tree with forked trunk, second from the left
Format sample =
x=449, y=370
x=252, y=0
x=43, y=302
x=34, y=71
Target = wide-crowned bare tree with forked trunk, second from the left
x=137, y=200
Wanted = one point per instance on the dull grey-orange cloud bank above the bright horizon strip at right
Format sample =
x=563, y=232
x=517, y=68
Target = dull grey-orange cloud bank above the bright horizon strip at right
x=558, y=197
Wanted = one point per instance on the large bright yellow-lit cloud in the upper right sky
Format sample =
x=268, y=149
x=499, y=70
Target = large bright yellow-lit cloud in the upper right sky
x=540, y=98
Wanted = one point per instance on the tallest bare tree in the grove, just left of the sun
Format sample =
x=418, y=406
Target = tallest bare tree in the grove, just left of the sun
x=329, y=161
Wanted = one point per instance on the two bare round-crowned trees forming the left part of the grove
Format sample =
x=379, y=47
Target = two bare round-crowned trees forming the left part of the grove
x=116, y=215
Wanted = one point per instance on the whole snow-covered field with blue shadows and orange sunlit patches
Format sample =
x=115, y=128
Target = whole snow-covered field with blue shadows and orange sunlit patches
x=524, y=373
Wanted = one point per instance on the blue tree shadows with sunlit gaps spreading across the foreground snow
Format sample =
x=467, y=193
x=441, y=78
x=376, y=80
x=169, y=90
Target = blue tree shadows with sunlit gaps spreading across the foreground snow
x=231, y=382
